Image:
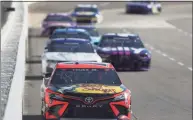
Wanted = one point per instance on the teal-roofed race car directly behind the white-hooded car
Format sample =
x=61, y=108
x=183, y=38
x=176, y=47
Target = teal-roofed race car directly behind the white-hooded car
x=70, y=33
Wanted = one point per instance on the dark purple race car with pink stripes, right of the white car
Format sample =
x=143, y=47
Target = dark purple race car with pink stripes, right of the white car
x=125, y=51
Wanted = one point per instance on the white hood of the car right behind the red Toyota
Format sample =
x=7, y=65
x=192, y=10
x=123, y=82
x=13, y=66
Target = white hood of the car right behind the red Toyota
x=74, y=56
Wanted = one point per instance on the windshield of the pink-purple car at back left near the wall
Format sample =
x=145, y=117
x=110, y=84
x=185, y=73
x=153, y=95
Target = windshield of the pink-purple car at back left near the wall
x=58, y=18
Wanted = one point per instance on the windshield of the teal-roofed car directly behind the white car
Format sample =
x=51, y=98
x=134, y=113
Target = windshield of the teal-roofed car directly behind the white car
x=80, y=35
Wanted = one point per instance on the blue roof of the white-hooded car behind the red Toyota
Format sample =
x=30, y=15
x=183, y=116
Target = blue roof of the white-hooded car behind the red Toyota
x=78, y=40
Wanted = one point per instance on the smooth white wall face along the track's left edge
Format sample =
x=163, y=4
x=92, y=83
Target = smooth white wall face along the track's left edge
x=13, y=109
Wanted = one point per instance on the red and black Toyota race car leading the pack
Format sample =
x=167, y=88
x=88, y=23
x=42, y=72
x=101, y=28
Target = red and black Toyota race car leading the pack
x=84, y=90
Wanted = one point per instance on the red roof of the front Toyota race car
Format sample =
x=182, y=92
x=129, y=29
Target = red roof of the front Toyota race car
x=83, y=64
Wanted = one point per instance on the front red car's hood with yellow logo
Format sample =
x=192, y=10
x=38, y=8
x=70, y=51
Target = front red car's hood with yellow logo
x=89, y=88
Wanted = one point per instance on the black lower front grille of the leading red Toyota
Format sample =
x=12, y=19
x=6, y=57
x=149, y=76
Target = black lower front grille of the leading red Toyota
x=81, y=111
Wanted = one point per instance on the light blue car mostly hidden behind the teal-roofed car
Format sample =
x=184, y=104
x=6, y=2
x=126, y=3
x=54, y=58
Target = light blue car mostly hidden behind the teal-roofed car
x=92, y=31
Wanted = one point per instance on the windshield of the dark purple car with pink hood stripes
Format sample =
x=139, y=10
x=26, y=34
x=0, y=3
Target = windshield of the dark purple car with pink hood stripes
x=131, y=41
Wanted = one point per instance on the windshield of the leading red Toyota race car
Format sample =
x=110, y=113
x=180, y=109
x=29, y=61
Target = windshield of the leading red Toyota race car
x=65, y=77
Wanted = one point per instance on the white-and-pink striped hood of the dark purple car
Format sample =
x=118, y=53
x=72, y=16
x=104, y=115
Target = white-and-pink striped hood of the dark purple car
x=122, y=50
